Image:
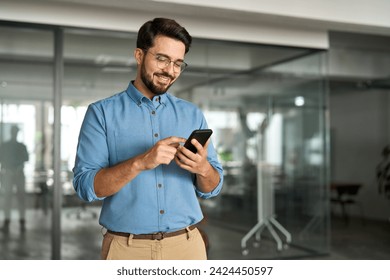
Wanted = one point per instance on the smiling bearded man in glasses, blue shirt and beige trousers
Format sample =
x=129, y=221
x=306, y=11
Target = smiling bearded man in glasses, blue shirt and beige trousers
x=130, y=156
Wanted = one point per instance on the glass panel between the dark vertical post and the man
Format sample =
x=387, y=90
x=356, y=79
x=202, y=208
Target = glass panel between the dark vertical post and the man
x=97, y=64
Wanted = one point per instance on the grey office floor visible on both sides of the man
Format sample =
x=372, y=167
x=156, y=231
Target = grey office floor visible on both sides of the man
x=81, y=240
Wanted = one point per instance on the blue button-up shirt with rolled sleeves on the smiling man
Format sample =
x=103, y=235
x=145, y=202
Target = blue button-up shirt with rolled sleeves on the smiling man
x=128, y=124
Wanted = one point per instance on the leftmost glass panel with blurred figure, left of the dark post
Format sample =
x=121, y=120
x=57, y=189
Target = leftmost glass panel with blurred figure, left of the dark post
x=26, y=112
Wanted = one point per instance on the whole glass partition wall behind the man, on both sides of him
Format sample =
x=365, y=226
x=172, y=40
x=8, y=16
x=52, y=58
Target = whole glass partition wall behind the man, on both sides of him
x=266, y=105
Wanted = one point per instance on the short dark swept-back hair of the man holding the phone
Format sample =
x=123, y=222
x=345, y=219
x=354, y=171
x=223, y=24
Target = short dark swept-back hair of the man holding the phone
x=162, y=26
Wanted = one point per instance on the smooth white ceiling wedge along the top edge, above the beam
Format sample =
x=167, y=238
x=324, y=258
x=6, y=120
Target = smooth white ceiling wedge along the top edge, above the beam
x=315, y=14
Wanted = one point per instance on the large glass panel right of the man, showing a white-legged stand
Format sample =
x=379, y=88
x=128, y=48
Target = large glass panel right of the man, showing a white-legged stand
x=274, y=148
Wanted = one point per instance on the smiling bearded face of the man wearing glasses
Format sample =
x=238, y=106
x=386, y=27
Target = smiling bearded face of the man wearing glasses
x=159, y=79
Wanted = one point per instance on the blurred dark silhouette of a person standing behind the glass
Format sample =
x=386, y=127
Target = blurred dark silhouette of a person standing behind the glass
x=13, y=155
